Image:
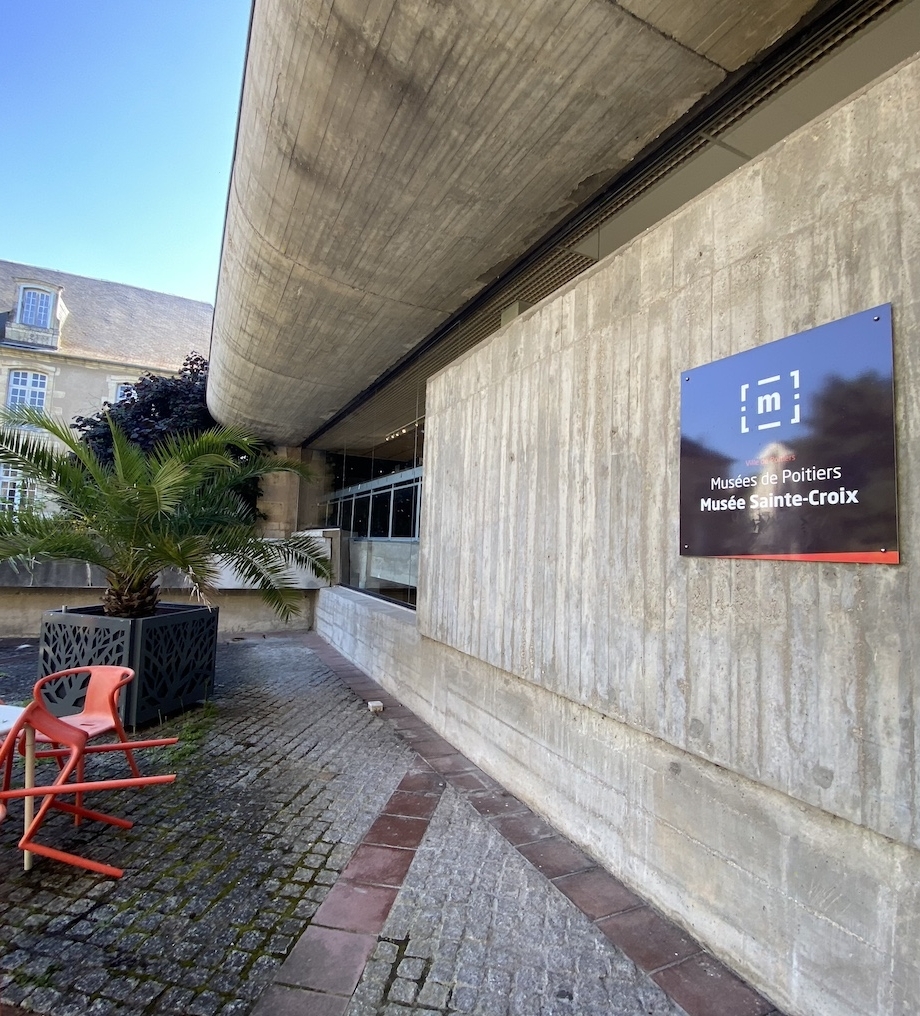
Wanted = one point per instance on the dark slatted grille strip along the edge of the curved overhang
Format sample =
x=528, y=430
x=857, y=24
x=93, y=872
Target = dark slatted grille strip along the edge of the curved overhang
x=399, y=397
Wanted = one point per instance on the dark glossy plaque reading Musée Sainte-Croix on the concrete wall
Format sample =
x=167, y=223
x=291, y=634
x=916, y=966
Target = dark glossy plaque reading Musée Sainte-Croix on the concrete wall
x=787, y=451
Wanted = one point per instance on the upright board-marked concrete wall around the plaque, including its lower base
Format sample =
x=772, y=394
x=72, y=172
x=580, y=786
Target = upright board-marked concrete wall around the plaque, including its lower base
x=737, y=739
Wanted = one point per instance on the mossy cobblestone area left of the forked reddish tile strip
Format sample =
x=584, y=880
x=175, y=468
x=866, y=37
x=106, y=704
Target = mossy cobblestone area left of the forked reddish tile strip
x=278, y=782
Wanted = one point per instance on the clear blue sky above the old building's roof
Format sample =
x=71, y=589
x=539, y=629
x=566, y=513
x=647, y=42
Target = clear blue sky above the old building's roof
x=118, y=120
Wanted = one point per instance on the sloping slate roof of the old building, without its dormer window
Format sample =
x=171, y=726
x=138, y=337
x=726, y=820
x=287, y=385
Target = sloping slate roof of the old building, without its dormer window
x=120, y=324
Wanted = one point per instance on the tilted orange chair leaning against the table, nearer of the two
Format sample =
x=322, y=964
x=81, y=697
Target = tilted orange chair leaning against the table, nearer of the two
x=72, y=751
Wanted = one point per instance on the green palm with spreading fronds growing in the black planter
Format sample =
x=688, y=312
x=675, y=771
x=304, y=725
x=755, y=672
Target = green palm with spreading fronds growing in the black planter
x=175, y=507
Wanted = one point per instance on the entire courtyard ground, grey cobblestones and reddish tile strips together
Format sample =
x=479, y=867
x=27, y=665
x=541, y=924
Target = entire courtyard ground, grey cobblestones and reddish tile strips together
x=283, y=782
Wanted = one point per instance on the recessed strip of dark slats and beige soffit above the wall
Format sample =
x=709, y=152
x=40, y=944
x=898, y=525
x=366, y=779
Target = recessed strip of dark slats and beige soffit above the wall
x=844, y=50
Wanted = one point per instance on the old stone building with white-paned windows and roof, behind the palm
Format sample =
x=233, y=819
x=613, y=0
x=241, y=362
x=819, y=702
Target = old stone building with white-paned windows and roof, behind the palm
x=70, y=345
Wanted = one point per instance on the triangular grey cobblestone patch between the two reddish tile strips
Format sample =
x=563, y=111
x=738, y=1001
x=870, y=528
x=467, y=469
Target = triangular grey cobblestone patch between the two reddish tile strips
x=477, y=929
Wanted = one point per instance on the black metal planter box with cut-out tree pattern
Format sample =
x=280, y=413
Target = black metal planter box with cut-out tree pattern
x=172, y=654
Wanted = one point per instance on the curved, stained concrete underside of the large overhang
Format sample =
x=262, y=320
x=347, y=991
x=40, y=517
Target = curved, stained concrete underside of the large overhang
x=395, y=157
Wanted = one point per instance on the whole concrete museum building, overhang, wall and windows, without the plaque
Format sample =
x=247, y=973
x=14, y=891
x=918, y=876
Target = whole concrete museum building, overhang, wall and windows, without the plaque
x=471, y=250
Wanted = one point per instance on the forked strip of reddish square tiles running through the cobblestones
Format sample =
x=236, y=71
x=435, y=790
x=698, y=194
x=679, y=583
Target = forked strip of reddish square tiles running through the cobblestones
x=323, y=971
